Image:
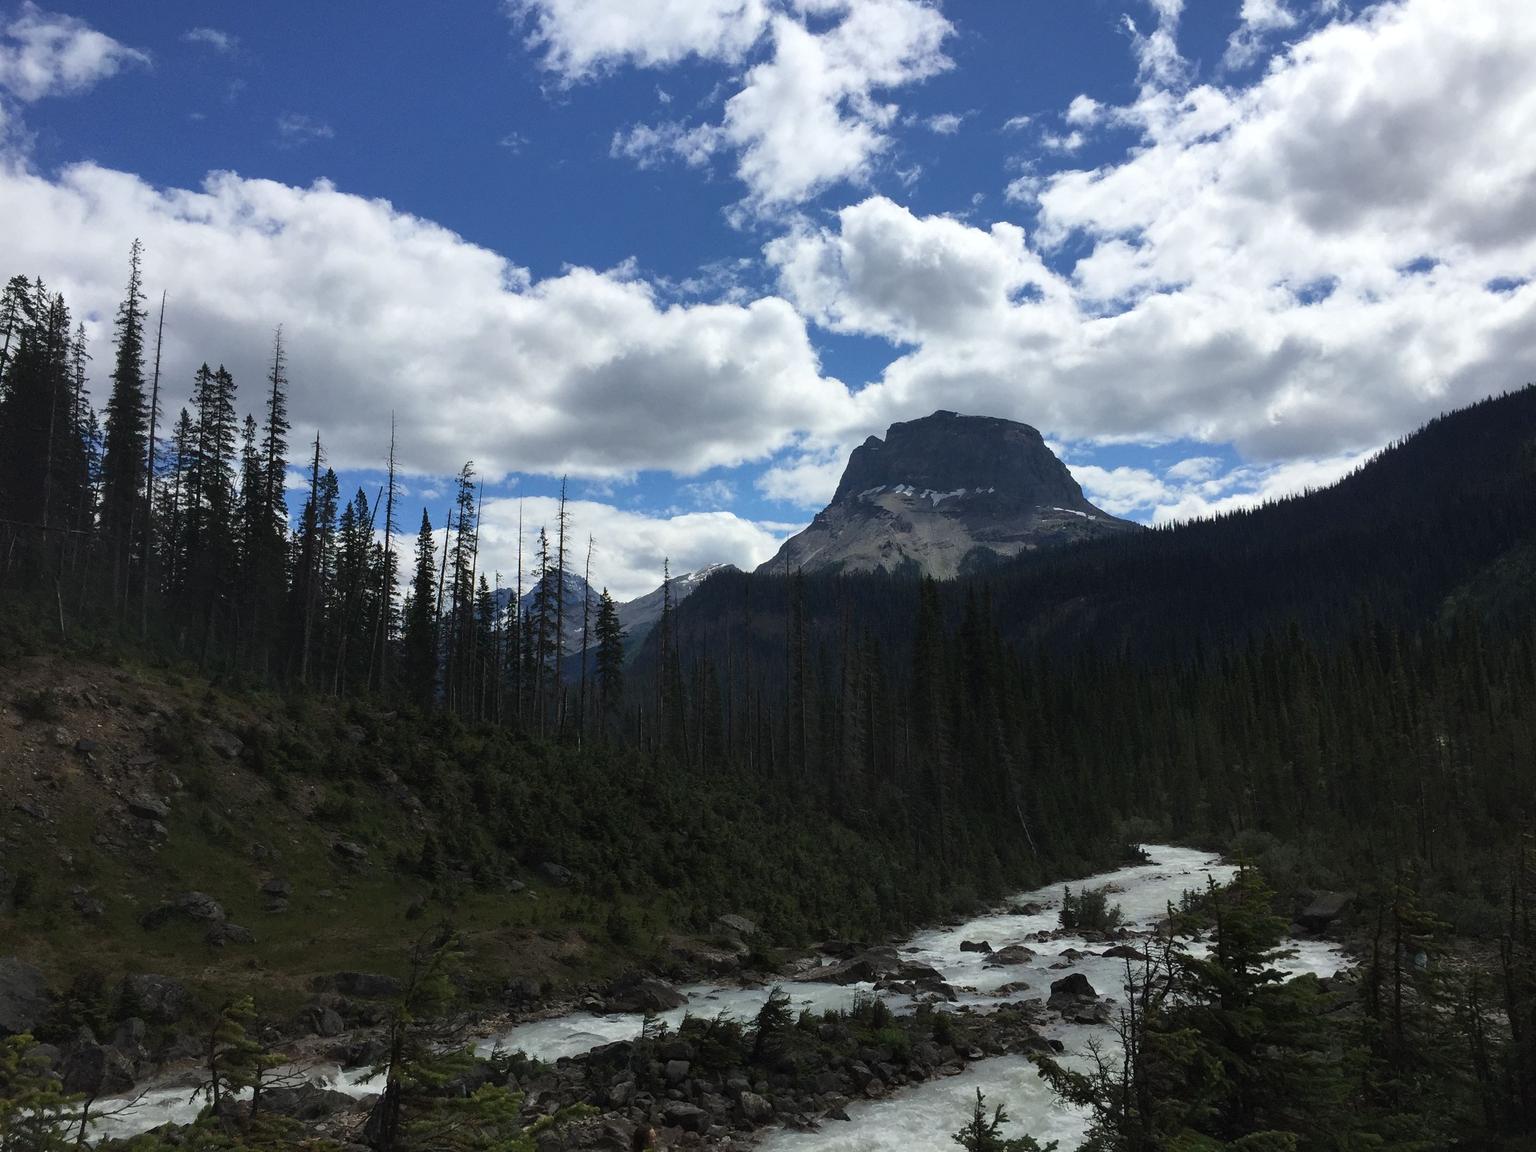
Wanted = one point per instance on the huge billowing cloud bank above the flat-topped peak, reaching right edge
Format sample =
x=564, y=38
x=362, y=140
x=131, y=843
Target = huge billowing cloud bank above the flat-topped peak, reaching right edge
x=1303, y=268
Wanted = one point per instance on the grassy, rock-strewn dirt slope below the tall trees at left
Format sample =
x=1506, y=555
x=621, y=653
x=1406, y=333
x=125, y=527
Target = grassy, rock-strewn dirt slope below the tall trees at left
x=228, y=816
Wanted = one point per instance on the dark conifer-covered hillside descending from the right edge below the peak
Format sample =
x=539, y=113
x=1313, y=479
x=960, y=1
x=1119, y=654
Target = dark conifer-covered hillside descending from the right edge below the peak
x=1349, y=670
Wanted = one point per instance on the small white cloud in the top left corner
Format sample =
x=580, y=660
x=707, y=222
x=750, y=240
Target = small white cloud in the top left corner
x=47, y=55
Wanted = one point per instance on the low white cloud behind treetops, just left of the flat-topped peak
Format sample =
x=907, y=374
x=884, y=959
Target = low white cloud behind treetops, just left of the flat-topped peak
x=629, y=546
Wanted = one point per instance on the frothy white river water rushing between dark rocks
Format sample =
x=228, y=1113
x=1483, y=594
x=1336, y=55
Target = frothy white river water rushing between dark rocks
x=921, y=1117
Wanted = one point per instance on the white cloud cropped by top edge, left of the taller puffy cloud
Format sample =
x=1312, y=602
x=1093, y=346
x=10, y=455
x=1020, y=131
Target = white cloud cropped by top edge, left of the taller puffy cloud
x=583, y=38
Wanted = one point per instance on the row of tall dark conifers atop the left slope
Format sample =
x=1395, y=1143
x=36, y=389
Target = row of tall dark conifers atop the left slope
x=184, y=538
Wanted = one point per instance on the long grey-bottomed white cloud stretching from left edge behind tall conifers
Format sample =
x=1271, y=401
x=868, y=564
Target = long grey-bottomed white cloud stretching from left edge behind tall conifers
x=584, y=372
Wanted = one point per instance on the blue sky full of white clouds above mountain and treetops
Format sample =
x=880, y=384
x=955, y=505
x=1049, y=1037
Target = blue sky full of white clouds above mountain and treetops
x=689, y=253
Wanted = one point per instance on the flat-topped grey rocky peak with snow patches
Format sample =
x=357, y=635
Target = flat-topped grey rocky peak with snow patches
x=945, y=495
